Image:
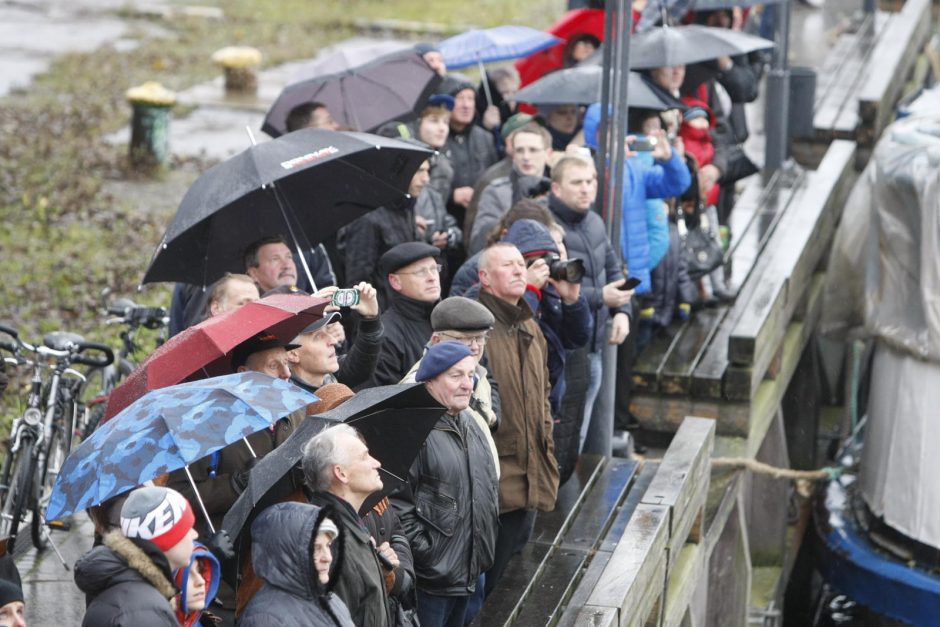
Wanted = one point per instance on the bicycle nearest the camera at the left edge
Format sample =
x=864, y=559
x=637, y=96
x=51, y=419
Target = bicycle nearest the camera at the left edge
x=43, y=435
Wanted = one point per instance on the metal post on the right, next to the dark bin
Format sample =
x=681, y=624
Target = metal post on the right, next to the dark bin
x=776, y=115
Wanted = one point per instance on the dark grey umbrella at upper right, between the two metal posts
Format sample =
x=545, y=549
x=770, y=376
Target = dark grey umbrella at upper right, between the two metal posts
x=681, y=45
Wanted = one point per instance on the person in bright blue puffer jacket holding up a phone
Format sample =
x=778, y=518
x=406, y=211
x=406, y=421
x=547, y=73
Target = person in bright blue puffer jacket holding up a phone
x=666, y=177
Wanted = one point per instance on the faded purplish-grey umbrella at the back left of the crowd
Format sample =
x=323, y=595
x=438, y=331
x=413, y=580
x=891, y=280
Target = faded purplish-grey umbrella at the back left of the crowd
x=393, y=87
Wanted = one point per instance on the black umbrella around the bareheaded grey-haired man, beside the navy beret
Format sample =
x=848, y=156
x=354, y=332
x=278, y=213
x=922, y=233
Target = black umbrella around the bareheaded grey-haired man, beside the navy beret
x=394, y=420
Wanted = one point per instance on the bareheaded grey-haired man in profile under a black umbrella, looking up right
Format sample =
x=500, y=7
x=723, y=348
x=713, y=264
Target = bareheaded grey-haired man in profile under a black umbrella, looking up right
x=341, y=473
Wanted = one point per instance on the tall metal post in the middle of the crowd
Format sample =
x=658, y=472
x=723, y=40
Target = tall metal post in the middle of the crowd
x=611, y=165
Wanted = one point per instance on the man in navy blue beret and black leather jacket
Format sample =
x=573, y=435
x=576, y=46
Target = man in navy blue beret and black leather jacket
x=450, y=510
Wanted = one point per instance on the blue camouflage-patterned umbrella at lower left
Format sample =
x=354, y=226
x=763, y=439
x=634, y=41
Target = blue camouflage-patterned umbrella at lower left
x=166, y=430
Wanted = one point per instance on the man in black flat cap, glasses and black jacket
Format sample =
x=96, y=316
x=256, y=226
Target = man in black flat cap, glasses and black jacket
x=413, y=277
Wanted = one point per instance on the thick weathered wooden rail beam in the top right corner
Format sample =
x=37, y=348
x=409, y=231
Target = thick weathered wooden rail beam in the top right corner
x=892, y=61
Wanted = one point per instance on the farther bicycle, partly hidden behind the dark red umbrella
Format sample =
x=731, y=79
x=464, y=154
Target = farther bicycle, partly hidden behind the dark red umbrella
x=102, y=380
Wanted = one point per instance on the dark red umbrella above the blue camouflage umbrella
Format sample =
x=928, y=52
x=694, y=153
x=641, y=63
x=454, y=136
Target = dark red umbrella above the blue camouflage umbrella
x=204, y=350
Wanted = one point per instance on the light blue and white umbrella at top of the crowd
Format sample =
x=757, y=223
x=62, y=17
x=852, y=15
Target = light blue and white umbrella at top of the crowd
x=499, y=43
